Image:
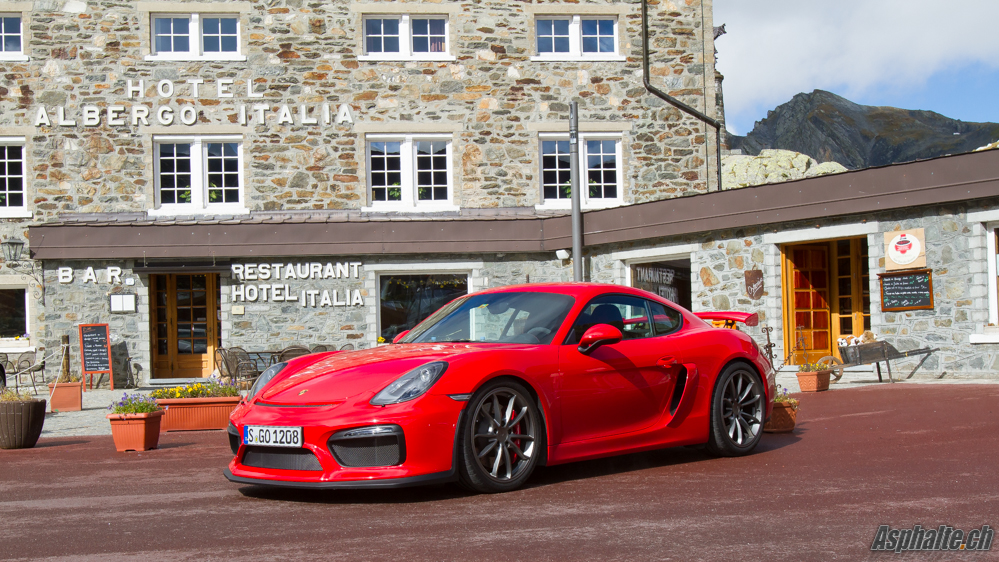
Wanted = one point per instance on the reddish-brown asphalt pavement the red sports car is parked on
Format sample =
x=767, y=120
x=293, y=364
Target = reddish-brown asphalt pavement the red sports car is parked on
x=900, y=455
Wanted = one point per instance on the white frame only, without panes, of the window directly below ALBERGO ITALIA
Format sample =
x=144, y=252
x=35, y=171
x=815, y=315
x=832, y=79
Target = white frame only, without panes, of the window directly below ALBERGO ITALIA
x=199, y=177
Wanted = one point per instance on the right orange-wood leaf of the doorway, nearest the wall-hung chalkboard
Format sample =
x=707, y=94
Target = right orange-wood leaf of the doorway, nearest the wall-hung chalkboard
x=851, y=312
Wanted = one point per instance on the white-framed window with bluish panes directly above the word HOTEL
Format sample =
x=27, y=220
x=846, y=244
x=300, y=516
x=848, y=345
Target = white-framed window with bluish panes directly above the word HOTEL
x=195, y=36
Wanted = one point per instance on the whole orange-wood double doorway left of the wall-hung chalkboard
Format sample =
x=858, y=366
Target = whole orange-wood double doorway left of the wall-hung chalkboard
x=827, y=296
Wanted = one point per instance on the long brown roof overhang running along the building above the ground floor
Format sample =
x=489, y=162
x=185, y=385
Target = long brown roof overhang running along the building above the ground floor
x=949, y=179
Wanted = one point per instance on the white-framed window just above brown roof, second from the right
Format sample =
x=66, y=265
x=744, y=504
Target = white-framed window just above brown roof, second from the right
x=410, y=171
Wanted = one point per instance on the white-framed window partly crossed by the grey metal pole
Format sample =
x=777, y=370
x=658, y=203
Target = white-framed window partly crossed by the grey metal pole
x=600, y=171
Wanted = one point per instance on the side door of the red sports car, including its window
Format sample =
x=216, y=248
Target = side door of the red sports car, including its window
x=618, y=388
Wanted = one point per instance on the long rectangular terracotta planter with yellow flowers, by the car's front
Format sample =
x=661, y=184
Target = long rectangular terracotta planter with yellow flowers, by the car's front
x=203, y=405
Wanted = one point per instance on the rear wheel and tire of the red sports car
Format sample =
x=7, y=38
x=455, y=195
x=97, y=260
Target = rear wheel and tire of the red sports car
x=735, y=431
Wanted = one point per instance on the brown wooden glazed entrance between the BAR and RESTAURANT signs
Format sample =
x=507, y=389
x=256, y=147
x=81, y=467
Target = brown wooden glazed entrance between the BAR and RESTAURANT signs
x=185, y=325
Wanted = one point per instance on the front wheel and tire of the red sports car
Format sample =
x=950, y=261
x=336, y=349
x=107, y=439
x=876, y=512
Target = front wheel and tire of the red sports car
x=498, y=453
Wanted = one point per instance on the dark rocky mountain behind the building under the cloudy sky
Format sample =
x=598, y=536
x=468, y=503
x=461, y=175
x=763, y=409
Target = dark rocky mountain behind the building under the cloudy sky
x=830, y=128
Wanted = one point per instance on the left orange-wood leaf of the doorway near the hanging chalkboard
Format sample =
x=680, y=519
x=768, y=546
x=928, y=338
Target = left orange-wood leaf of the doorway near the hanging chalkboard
x=807, y=323
